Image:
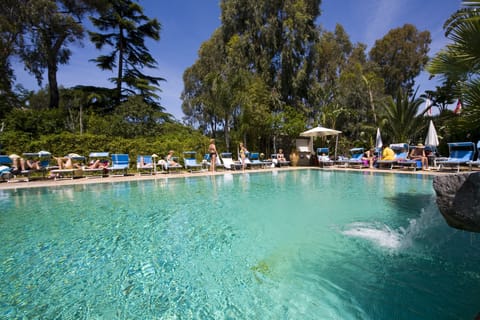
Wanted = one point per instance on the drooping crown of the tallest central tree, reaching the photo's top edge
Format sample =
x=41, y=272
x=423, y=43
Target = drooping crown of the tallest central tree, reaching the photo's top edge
x=275, y=38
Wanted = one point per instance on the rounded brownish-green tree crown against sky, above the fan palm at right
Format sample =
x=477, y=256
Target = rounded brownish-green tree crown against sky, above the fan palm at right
x=401, y=56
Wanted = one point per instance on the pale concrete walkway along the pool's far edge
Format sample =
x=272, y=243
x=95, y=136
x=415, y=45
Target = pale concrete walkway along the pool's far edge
x=39, y=182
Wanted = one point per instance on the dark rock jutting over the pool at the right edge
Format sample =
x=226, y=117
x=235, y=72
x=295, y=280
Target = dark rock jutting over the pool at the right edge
x=458, y=198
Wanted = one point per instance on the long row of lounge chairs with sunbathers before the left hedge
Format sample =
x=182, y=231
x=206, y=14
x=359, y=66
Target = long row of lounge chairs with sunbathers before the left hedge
x=119, y=164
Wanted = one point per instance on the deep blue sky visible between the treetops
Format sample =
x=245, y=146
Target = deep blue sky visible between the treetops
x=186, y=24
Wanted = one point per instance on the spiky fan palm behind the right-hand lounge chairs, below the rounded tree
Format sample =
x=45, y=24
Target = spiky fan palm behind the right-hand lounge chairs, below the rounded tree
x=402, y=121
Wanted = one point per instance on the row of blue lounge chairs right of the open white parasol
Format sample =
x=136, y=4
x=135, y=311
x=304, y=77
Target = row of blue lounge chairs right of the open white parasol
x=461, y=154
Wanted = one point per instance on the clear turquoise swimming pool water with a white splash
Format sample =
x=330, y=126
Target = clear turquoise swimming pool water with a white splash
x=276, y=245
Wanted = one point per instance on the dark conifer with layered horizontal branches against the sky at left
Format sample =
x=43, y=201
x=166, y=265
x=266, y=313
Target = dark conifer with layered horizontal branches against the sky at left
x=125, y=28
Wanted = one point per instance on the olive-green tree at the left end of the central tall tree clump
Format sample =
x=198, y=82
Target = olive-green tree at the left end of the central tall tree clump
x=214, y=87
